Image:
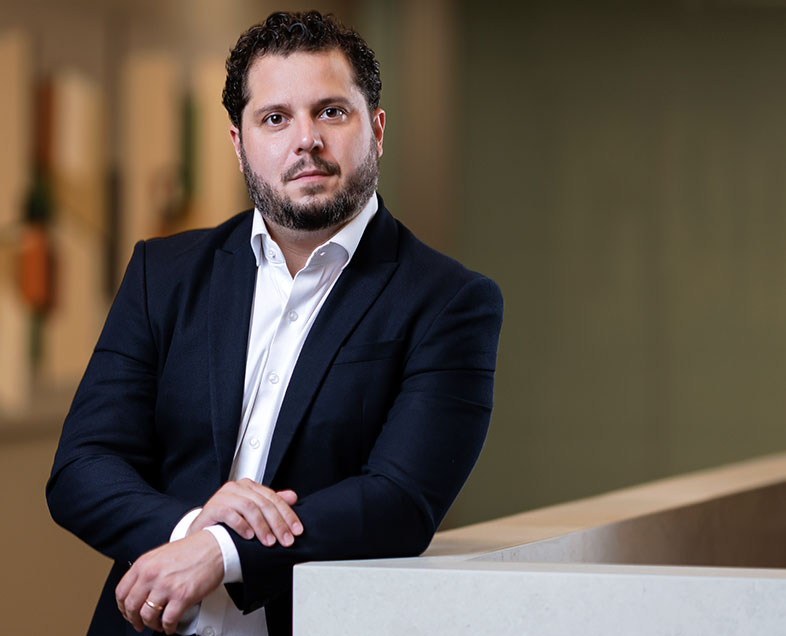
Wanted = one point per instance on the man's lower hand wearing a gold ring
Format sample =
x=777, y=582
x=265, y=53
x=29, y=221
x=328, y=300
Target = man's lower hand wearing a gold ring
x=165, y=582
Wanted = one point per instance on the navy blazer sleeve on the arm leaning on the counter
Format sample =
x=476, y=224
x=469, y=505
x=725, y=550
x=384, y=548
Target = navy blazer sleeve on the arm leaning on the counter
x=424, y=453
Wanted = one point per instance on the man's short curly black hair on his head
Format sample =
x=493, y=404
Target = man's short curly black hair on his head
x=284, y=33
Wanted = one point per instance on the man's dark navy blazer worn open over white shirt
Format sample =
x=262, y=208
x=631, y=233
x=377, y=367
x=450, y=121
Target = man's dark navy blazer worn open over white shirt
x=383, y=419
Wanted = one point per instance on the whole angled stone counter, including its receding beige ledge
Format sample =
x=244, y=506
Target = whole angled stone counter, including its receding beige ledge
x=698, y=554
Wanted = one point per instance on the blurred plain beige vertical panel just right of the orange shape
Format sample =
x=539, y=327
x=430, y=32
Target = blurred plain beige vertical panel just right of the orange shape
x=78, y=227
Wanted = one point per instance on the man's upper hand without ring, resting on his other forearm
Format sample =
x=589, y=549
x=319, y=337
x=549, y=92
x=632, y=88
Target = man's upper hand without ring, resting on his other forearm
x=252, y=510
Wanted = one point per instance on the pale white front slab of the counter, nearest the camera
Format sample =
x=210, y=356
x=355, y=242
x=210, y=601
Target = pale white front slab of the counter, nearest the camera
x=443, y=595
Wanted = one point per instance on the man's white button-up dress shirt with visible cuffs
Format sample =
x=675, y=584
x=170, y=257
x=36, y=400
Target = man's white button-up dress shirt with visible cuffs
x=283, y=310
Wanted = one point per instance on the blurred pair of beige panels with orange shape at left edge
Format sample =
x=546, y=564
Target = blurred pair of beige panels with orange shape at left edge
x=53, y=232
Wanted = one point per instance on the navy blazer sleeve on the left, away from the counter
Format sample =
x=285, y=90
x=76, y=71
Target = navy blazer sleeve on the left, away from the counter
x=100, y=487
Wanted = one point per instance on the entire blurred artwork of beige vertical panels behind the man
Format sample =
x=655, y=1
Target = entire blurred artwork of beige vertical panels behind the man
x=80, y=184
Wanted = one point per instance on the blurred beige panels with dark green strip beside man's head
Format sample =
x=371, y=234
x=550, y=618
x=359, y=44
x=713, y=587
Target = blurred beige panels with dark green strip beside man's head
x=178, y=166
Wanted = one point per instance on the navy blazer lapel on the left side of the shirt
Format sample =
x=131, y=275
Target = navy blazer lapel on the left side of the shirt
x=229, y=308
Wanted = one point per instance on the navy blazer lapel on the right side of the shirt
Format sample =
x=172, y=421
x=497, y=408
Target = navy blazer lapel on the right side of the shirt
x=357, y=288
